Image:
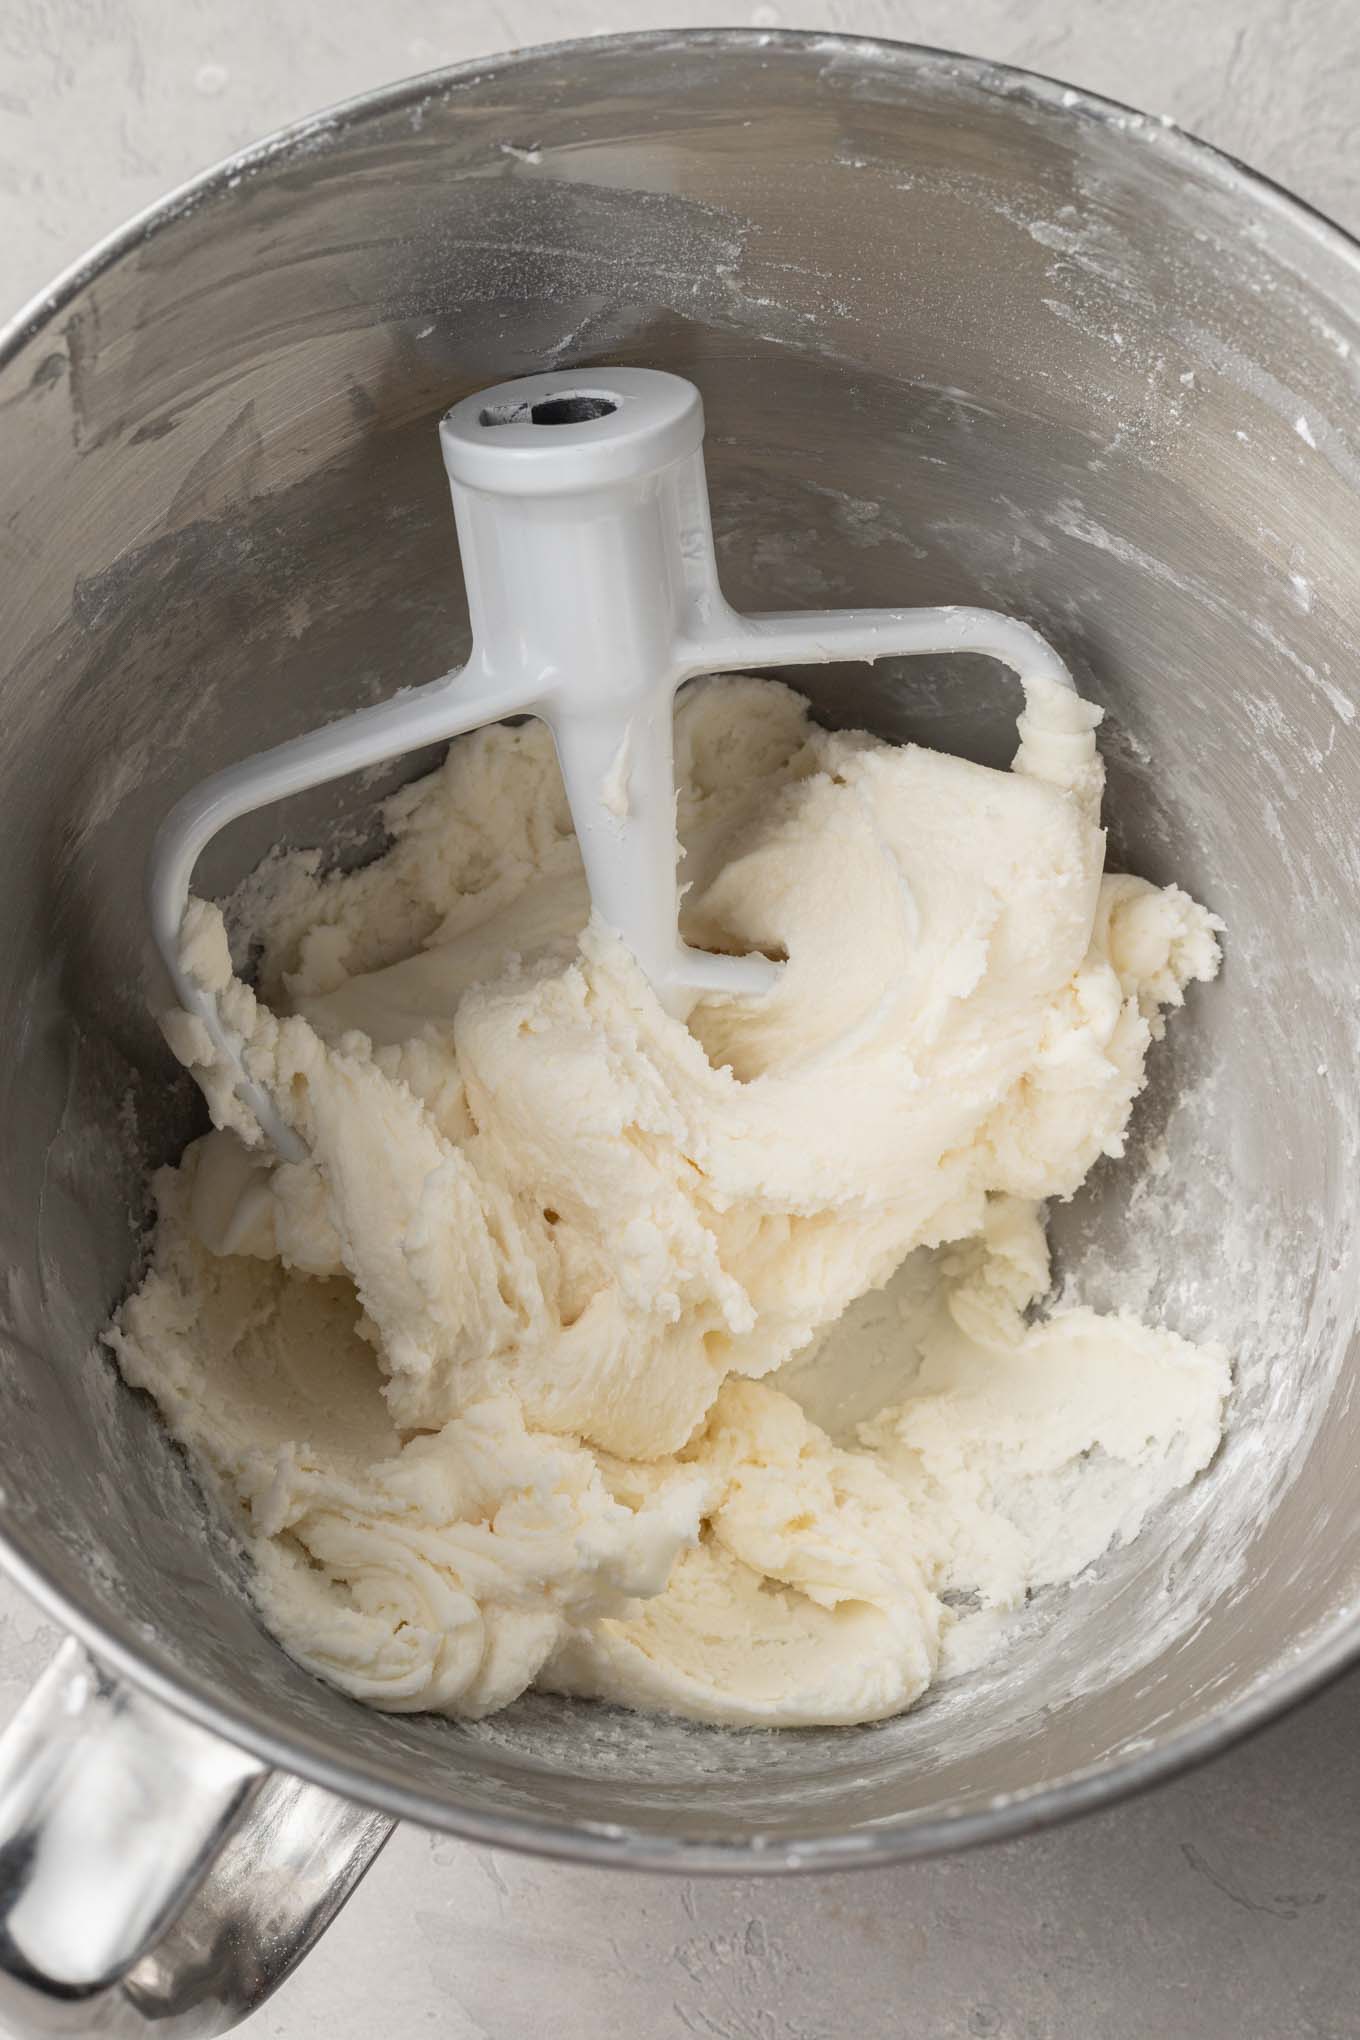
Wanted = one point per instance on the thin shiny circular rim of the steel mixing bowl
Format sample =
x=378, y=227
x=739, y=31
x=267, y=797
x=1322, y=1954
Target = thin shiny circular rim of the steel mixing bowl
x=295, y=1749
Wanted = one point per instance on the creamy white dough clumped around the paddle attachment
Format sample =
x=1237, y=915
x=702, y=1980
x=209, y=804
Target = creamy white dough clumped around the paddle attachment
x=521, y=1378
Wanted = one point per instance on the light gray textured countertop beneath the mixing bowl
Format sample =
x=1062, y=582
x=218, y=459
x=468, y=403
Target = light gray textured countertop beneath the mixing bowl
x=1220, y=1908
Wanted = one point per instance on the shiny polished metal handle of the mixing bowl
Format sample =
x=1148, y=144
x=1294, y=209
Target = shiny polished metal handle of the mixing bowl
x=154, y=1880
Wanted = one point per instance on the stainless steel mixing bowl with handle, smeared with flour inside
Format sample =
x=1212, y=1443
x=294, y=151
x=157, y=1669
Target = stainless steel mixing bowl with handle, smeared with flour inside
x=963, y=338
